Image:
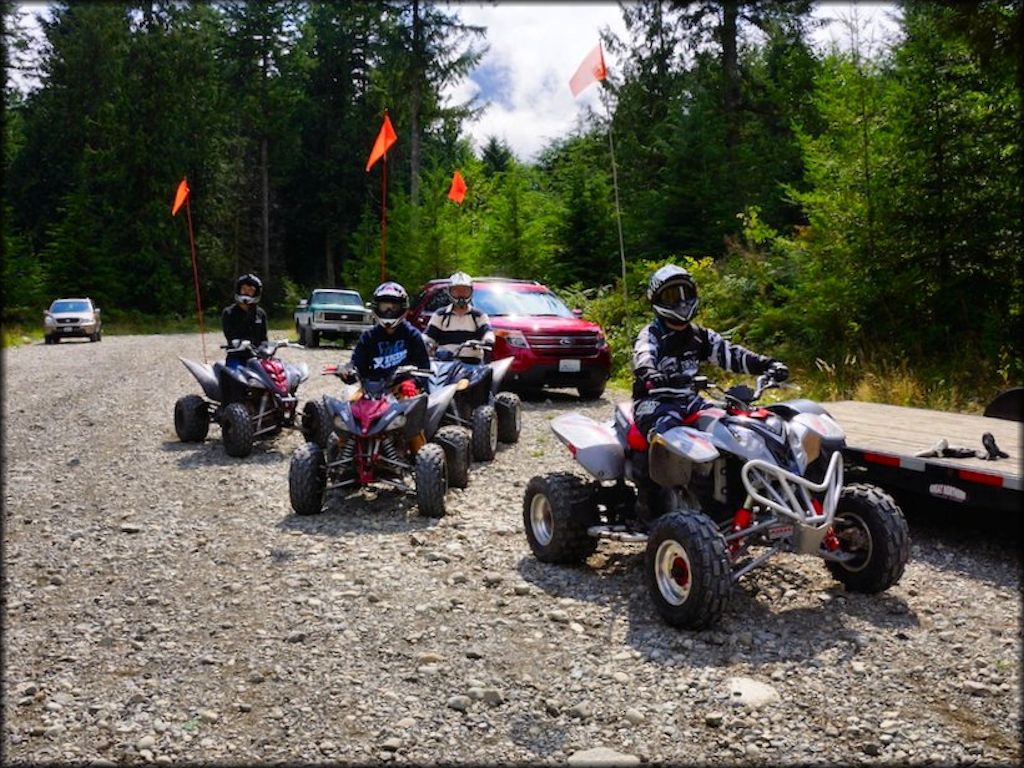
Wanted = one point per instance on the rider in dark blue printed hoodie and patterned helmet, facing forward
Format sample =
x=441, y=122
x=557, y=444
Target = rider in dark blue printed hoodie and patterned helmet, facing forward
x=393, y=342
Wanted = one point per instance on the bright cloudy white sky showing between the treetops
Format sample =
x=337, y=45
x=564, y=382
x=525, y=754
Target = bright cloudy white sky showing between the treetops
x=535, y=49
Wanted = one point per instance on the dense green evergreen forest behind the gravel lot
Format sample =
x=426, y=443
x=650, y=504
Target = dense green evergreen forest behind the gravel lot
x=857, y=211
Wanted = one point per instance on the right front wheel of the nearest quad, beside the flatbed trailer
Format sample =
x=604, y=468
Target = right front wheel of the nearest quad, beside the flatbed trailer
x=870, y=524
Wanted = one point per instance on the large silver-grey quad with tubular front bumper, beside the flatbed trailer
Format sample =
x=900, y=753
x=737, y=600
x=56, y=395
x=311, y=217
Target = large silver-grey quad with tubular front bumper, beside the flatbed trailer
x=734, y=486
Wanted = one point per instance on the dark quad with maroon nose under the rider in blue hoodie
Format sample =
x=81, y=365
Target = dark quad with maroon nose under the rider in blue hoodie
x=370, y=436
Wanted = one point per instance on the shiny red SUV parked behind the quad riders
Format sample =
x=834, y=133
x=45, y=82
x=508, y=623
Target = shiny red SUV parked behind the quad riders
x=551, y=346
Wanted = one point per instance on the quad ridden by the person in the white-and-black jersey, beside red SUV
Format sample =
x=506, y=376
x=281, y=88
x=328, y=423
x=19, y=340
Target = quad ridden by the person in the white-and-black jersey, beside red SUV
x=489, y=414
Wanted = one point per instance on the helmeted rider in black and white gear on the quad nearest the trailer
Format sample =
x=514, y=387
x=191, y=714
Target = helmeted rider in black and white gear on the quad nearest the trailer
x=667, y=355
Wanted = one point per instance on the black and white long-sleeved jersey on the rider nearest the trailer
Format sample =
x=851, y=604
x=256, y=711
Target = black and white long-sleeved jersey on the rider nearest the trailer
x=691, y=348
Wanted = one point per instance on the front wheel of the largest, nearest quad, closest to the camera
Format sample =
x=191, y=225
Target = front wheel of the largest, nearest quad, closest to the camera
x=688, y=570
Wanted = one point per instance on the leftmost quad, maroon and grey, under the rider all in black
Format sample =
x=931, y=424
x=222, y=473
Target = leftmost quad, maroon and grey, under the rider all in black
x=255, y=400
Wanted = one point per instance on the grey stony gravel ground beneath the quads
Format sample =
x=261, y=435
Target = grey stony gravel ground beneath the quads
x=163, y=605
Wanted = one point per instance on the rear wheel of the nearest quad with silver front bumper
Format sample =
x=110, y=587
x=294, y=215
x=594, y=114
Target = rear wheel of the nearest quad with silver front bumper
x=557, y=513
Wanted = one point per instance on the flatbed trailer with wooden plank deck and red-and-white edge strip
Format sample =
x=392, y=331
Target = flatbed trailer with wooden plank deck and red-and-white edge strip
x=883, y=443
